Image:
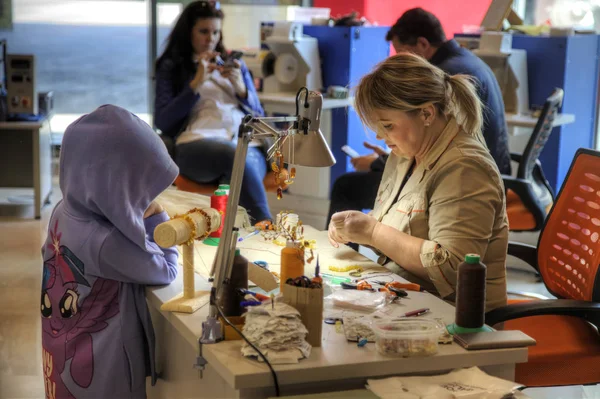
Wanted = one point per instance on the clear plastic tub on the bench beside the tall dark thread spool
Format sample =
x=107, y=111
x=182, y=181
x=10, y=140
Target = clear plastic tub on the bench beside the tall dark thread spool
x=407, y=338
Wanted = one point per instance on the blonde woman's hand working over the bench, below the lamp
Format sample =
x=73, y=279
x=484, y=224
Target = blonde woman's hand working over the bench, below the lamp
x=351, y=226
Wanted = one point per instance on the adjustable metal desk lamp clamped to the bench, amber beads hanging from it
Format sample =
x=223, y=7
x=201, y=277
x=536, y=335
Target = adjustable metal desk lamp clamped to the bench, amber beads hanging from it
x=305, y=145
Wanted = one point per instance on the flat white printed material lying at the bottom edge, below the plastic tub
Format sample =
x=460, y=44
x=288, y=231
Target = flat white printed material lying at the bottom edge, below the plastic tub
x=471, y=383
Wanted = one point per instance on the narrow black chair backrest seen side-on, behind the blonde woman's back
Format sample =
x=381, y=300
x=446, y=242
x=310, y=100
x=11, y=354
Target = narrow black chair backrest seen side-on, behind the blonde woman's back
x=540, y=135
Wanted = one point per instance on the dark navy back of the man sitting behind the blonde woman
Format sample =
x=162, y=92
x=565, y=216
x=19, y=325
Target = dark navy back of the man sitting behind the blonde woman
x=456, y=60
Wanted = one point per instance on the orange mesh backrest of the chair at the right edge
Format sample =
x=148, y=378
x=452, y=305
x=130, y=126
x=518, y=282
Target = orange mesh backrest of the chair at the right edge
x=569, y=244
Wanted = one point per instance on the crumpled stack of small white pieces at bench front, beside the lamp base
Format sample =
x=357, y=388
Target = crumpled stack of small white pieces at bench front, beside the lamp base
x=278, y=332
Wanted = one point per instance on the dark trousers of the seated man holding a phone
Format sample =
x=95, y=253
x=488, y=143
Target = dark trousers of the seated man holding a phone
x=354, y=191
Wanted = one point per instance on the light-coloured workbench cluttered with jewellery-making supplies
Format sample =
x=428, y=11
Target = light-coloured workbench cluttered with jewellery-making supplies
x=337, y=365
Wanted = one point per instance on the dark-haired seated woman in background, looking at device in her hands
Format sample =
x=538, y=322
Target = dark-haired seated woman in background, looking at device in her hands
x=202, y=105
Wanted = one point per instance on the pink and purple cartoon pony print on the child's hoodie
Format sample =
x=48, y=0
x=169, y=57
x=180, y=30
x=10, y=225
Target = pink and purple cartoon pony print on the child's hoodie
x=67, y=322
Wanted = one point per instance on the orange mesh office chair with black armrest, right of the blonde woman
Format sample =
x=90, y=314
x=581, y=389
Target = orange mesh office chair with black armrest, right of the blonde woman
x=567, y=257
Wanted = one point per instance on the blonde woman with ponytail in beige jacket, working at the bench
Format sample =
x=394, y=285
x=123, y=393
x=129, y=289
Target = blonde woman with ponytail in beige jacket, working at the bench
x=441, y=195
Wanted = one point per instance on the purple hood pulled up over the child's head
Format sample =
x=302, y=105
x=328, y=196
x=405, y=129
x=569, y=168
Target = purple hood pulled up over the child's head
x=112, y=166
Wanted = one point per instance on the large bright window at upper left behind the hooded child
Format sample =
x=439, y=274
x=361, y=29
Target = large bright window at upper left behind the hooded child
x=89, y=52
